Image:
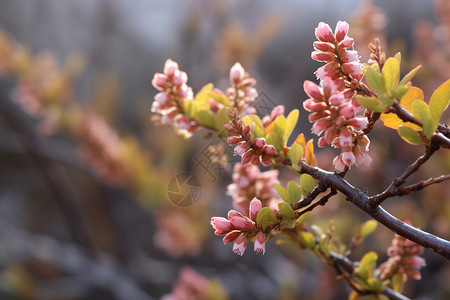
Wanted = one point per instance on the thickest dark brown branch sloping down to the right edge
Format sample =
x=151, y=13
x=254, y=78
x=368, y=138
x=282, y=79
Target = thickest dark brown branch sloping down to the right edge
x=361, y=200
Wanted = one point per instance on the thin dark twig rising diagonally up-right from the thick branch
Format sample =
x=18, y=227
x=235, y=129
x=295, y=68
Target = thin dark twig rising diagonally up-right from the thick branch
x=393, y=190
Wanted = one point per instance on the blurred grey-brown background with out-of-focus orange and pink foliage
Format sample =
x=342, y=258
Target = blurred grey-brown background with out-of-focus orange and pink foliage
x=86, y=207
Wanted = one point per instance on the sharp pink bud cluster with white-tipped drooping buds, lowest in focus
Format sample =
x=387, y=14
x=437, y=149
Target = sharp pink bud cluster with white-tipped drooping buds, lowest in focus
x=240, y=229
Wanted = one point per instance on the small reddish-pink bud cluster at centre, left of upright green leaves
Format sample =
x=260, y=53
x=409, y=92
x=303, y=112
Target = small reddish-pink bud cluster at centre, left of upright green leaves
x=254, y=152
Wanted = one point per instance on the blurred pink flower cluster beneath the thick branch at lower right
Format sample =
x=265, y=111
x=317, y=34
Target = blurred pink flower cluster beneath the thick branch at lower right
x=403, y=259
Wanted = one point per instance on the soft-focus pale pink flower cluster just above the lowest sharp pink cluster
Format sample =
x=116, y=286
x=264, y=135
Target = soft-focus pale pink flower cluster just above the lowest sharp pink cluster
x=250, y=182
